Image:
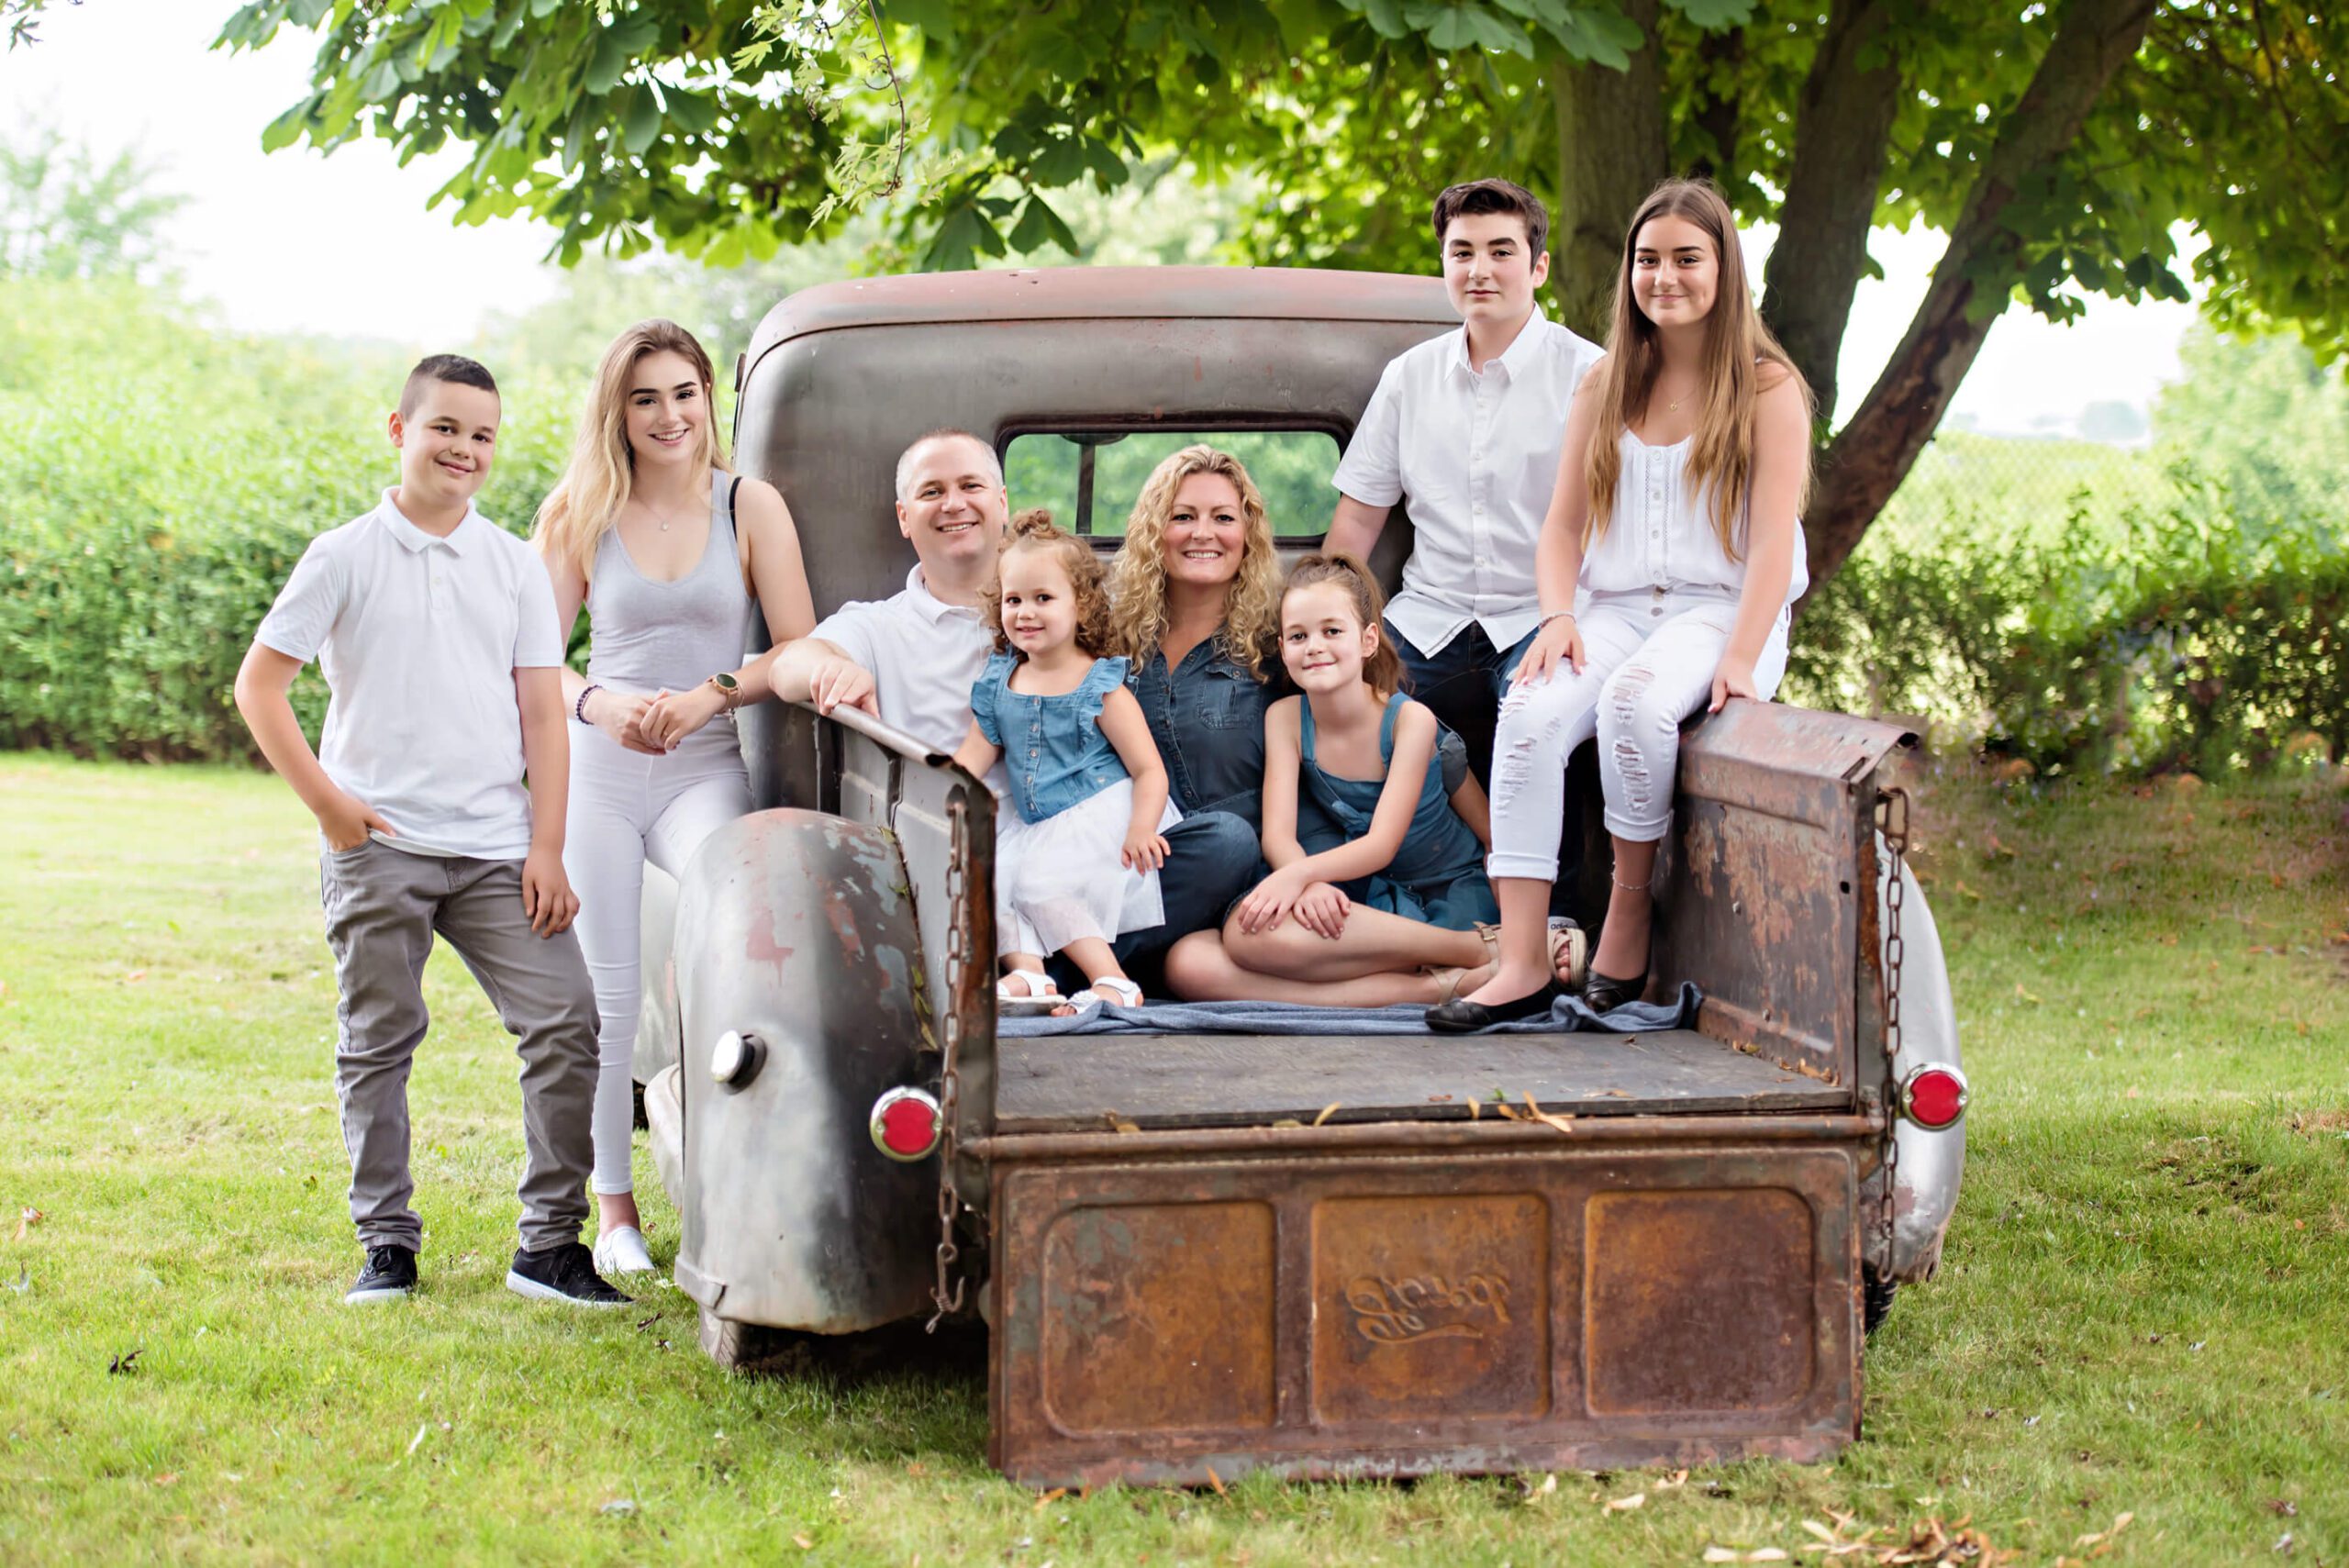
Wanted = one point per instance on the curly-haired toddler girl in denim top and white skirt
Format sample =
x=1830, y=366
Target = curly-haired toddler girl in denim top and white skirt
x=1077, y=865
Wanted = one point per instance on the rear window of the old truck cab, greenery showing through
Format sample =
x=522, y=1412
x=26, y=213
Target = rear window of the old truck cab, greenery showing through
x=1091, y=480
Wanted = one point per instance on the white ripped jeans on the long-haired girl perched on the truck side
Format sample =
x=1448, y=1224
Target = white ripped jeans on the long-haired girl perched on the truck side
x=1648, y=663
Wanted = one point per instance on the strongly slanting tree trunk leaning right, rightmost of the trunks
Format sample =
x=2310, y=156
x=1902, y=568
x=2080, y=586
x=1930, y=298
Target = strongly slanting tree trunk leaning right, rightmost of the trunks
x=1873, y=454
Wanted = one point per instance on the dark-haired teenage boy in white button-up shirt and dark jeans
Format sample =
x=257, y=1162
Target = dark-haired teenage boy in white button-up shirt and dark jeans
x=1465, y=431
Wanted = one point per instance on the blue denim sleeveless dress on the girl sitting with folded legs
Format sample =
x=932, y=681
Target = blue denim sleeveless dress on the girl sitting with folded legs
x=1439, y=874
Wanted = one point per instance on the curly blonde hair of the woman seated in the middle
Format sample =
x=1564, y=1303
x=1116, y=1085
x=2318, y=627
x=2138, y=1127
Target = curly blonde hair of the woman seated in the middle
x=1138, y=576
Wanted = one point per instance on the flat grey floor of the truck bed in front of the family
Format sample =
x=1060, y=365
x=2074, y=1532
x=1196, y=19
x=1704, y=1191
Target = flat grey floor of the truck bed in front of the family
x=1091, y=1083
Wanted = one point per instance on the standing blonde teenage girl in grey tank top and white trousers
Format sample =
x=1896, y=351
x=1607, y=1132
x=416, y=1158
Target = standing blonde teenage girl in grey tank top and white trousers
x=671, y=557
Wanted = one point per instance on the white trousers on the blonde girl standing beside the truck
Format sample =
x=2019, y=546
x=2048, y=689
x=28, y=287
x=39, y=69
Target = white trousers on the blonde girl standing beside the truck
x=628, y=809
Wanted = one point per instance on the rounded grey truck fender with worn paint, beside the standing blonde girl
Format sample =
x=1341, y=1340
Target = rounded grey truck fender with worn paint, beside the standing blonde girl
x=795, y=935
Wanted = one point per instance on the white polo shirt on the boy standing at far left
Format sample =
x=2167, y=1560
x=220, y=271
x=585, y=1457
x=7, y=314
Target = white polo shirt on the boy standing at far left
x=419, y=642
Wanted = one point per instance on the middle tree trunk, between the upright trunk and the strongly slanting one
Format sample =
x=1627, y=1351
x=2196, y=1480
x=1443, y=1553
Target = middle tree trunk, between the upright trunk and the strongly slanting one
x=1843, y=140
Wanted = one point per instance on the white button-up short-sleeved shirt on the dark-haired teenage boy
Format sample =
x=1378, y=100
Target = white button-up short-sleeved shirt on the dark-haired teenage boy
x=1474, y=459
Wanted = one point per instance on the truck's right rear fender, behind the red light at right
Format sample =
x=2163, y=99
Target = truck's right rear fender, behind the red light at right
x=1932, y=1163
